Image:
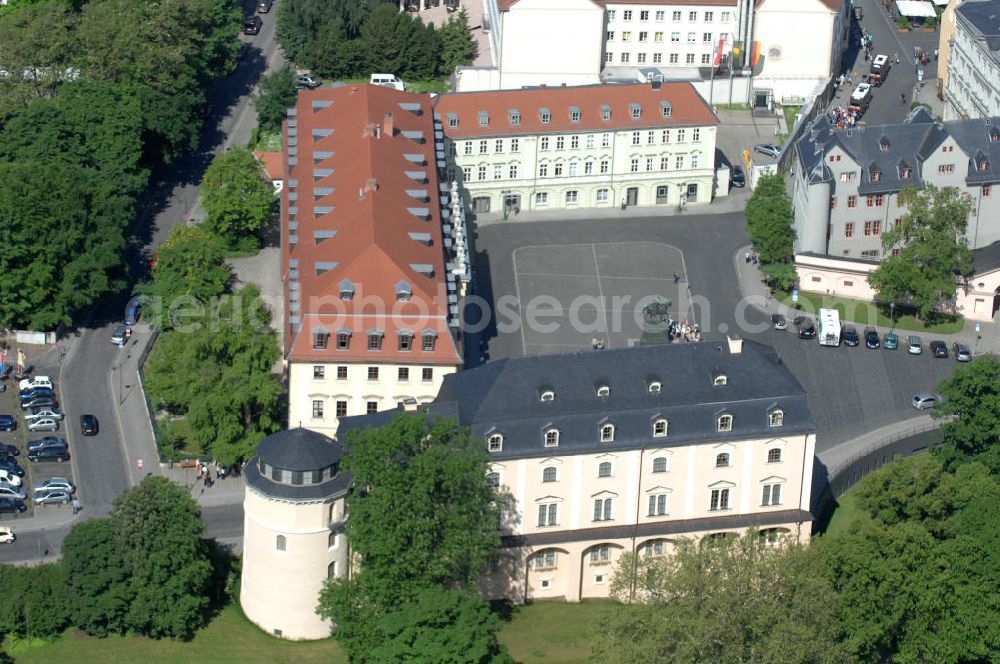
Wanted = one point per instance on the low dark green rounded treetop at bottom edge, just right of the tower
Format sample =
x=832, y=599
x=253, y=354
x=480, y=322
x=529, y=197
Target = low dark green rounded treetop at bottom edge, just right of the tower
x=443, y=626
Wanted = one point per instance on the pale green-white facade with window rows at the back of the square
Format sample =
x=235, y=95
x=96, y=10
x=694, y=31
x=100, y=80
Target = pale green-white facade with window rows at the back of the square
x=645, y=167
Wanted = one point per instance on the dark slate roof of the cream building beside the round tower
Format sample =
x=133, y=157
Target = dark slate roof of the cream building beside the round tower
x=505, y=397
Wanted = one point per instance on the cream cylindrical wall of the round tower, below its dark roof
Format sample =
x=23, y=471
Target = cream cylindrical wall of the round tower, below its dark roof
x=290, y=548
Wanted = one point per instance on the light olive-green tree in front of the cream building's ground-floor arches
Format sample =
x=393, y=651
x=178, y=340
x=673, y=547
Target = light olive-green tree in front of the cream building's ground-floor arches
x=730, y=600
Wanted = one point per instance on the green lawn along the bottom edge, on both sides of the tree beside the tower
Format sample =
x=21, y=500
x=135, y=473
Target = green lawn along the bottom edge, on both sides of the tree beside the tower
x=551, y=632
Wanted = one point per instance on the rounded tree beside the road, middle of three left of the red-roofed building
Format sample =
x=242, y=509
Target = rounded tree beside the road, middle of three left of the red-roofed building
x=190, y=265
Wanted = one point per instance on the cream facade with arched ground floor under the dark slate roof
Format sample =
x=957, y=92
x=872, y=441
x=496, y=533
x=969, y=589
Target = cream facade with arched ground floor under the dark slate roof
x=657, y=496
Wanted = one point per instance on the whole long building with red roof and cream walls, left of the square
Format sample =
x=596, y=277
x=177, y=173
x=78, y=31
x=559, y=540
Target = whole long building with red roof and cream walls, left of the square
x=374, y=254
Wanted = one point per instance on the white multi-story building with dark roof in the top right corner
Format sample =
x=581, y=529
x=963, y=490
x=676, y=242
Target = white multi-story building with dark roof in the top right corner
x=972, y=87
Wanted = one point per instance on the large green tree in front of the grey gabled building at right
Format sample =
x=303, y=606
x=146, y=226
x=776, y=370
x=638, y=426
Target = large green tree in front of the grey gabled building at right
x=932, y=250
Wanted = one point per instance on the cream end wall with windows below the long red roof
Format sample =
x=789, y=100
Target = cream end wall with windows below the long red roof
x=320, y=393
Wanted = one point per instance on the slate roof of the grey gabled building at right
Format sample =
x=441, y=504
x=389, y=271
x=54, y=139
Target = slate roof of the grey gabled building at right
x=885, y=148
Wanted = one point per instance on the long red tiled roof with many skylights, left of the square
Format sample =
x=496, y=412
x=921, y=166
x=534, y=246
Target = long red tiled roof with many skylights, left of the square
x=363, y=212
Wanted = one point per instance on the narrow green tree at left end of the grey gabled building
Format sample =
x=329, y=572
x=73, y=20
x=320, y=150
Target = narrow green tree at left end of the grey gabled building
x=769, y=223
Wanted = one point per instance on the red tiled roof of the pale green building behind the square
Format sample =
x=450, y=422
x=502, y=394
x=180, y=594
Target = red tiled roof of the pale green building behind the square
x=686, y=108
